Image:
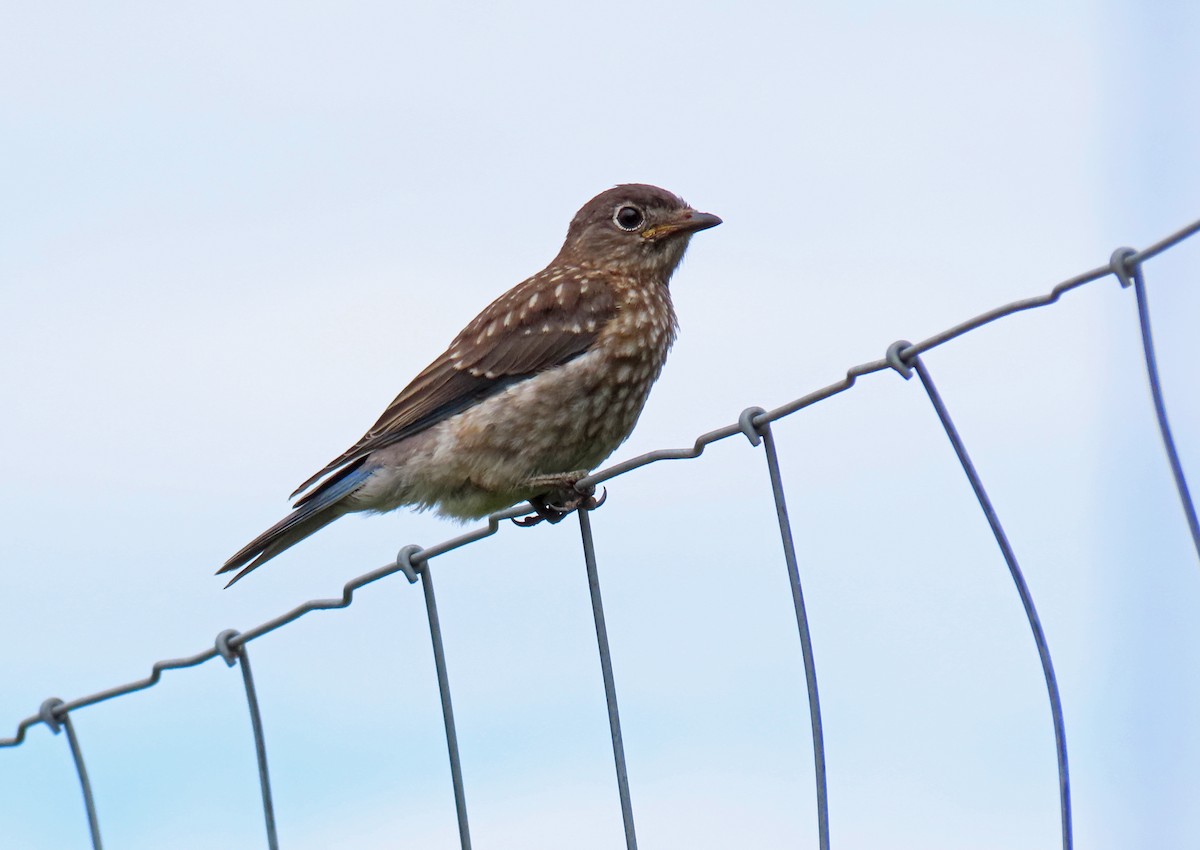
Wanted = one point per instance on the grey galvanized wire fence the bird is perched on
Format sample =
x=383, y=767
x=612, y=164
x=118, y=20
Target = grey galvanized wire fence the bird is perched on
x=1126, y=266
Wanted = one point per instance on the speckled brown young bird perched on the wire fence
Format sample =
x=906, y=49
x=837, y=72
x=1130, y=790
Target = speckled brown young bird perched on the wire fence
x=536, y=392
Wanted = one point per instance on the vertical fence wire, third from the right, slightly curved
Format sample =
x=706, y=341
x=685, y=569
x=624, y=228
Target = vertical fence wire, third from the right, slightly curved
x=802, y=625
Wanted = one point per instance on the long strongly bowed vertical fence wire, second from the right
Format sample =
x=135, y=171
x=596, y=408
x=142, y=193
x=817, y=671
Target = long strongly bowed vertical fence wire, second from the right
x=1060, y=731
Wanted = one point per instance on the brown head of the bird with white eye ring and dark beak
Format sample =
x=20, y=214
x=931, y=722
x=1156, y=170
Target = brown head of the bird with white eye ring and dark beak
x=637, y=229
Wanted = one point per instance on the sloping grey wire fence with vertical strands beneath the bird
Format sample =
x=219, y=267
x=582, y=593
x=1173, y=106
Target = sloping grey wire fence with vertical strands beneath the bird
x=1126, y=265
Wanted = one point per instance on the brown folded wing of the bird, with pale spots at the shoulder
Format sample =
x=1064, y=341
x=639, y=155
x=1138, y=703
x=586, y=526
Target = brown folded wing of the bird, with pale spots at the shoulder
x=542, y=324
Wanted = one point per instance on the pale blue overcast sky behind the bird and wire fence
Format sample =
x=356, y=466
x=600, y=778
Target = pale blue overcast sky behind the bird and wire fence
x=231, y=234
